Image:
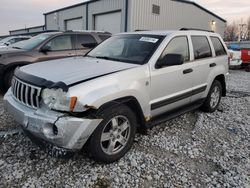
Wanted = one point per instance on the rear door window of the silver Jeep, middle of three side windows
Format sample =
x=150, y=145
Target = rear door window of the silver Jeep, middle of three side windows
x=201, y=47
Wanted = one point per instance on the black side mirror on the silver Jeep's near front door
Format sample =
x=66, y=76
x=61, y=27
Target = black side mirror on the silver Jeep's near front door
x=170, y=60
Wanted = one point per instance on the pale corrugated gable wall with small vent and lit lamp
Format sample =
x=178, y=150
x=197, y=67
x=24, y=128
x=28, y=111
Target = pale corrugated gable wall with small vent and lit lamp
x=173, y=15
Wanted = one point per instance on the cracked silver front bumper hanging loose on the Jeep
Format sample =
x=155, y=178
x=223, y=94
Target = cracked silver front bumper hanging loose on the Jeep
x=59, y=131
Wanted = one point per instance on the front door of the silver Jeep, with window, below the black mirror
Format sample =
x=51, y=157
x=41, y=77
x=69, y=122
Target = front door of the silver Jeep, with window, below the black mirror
x=171, y=86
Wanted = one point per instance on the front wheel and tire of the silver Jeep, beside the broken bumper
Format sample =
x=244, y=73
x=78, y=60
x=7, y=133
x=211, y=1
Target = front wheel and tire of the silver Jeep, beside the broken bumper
x=114, y=136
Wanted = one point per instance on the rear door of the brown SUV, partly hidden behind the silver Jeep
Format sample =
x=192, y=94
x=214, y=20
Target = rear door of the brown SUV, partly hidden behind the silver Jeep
x=81, y=40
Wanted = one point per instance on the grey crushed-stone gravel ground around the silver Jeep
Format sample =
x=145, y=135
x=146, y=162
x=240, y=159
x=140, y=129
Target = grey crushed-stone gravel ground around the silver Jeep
x=193, y=150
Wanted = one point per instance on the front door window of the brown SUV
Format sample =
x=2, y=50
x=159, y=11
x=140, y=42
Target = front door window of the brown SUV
x=60, y=43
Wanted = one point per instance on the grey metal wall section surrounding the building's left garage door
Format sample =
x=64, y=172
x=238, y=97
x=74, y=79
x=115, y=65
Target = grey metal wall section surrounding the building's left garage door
x=57, y=20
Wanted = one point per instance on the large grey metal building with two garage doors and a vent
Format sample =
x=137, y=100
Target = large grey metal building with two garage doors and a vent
x=128, y=15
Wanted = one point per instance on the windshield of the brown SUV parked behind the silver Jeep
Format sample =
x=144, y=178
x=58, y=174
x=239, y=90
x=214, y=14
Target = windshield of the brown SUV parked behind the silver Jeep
x=31, y=43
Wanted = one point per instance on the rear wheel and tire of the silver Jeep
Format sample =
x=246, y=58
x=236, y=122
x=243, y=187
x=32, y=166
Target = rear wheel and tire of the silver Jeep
x=213, y=98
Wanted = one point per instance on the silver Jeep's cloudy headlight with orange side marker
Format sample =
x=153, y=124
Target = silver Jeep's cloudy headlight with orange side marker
x=57, y=99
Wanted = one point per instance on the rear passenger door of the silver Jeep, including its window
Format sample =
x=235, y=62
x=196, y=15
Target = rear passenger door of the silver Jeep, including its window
x=203, y=62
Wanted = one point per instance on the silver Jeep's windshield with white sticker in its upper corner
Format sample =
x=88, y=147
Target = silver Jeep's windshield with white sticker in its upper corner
x=131, y=48
